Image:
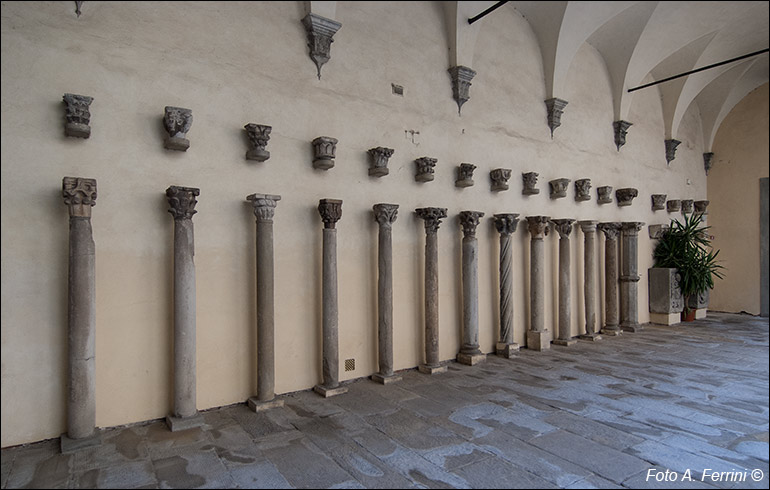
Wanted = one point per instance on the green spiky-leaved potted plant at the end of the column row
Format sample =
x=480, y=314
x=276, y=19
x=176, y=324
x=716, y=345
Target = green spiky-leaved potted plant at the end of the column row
x=687, y=247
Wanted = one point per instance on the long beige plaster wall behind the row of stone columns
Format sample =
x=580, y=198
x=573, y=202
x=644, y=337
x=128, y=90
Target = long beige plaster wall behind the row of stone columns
x=235, y=63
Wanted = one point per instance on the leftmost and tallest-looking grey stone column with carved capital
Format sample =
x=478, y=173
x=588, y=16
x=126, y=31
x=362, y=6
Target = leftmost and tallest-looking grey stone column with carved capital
x=80, y=195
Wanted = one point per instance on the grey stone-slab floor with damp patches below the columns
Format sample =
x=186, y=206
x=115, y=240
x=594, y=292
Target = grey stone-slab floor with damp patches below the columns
x=668, y=402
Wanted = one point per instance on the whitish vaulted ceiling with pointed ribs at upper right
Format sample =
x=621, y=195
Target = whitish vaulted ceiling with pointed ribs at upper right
x=640, y=42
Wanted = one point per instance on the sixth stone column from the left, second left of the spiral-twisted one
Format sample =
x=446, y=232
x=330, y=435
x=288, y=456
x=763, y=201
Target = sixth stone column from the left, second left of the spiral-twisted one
x=432, y=217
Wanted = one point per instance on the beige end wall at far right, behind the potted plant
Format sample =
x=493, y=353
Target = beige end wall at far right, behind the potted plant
x=740, y=160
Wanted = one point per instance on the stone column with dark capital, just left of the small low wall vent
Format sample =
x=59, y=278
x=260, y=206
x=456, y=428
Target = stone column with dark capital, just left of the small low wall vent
x=331, y=212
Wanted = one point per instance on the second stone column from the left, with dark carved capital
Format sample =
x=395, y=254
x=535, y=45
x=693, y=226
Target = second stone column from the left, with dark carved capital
x=185, y=415
